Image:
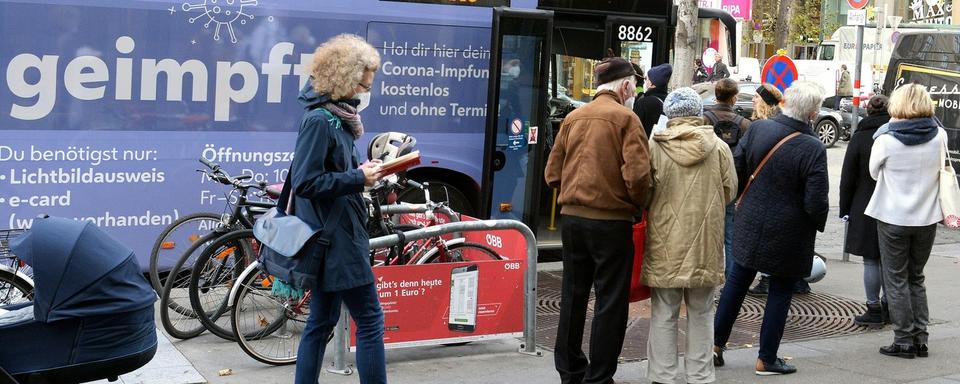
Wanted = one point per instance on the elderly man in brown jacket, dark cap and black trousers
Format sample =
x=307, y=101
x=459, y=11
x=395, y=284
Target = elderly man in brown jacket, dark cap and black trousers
x=600, y=162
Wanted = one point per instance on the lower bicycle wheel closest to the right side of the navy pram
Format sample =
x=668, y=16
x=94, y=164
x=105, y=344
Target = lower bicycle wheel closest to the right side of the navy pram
x=176, y=314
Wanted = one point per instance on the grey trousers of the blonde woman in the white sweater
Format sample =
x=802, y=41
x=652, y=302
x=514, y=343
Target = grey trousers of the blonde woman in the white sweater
x=904, y=252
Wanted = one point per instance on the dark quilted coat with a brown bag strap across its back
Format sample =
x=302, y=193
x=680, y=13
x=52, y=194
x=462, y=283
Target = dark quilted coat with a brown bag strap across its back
x=776, y=224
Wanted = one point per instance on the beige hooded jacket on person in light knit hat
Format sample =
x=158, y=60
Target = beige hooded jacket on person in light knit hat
x=693, y=180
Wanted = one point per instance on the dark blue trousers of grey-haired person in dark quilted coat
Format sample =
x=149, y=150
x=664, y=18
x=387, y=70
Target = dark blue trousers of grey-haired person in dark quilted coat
x=774, y=313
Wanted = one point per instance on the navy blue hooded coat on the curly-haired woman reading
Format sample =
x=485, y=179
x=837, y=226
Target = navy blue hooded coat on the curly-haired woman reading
x=324, y=175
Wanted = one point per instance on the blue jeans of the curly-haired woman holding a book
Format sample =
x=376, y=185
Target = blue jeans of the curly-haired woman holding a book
x=364, y=306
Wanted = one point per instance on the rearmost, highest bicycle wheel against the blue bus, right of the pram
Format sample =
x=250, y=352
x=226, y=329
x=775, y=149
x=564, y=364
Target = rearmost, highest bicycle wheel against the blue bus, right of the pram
x=174, y=240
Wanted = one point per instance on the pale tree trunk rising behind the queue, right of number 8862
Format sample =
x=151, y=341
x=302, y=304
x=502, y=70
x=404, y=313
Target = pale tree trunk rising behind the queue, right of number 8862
x=685, y=43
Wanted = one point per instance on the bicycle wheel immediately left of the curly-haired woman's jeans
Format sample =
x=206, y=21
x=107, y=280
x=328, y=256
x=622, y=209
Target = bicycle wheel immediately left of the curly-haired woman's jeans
x=267, y=327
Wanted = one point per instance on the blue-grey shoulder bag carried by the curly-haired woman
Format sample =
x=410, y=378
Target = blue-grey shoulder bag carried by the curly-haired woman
x=290, y=244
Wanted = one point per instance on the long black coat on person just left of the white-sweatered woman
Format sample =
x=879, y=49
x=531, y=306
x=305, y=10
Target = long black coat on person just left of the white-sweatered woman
x=856, y=188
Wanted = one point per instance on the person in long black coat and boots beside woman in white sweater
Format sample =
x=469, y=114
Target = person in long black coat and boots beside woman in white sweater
x=856, y=188
